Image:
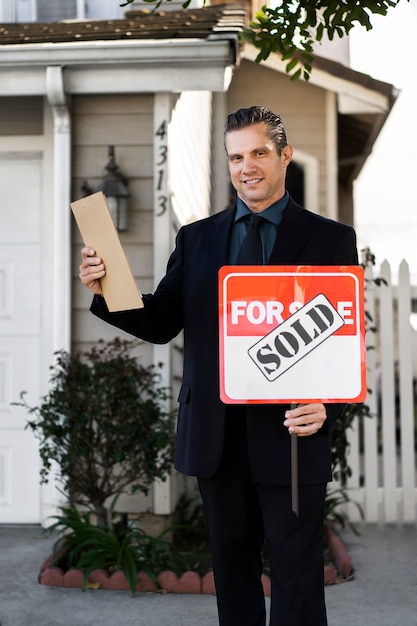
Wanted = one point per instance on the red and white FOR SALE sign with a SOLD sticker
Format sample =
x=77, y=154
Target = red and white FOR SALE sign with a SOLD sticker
x=292, y=334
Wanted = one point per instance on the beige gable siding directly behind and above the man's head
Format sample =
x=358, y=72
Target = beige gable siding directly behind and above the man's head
x=302, y=107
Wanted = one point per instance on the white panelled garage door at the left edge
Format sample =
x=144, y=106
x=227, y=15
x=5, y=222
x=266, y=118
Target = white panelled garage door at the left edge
x=20, y=334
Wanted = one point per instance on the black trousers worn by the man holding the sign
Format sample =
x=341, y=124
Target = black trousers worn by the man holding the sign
x=241, y=515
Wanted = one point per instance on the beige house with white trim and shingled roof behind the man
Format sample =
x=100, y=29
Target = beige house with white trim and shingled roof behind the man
x=157, y=87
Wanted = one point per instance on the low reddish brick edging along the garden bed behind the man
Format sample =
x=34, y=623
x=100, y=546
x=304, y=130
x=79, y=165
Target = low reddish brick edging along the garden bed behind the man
x=189, y=582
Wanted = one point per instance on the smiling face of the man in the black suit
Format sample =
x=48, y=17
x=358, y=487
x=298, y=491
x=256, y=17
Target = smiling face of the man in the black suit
x=256, y=170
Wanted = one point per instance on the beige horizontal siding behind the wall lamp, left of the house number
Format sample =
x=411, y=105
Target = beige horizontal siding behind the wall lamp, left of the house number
x=126, y=123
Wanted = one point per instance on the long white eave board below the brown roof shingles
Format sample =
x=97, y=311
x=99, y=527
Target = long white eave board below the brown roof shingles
x=101, y=66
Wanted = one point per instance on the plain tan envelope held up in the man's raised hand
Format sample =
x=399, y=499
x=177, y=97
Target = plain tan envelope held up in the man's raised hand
x=98, y=231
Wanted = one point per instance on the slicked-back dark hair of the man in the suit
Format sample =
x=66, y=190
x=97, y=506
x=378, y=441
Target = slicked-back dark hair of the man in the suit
x=258, y=115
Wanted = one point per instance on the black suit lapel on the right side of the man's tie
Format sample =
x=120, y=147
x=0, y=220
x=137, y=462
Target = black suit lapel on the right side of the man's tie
x=293, y=232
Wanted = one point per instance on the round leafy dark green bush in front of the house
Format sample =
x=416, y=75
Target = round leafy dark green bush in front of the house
x=105, y=425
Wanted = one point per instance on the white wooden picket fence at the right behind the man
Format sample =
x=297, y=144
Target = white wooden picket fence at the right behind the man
x=382, y=452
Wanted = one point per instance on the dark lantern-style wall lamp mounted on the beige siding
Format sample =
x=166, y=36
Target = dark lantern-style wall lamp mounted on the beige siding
x=114, y=187
